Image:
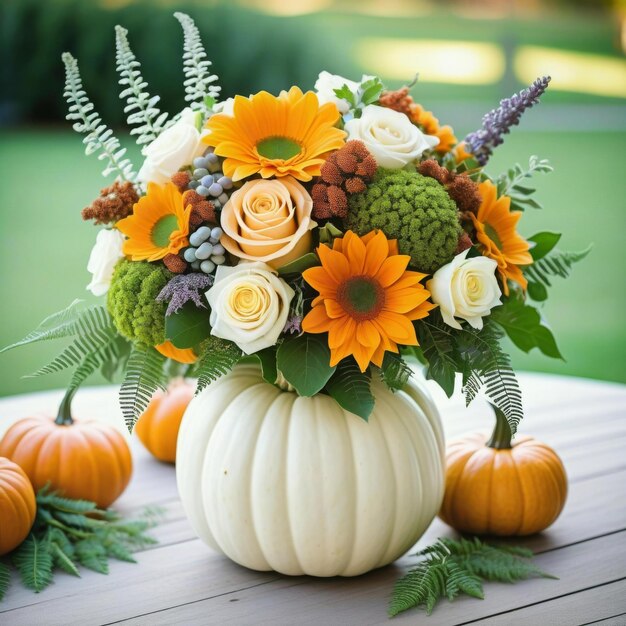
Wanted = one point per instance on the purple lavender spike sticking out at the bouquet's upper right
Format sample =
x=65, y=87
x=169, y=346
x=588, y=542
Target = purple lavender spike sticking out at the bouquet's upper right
x=498, y=122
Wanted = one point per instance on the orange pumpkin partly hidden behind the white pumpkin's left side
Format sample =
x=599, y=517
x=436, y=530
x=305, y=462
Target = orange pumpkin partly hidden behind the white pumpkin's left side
x=158, y=426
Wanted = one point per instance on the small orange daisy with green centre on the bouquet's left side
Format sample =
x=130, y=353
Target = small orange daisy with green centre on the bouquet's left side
x=158, y=226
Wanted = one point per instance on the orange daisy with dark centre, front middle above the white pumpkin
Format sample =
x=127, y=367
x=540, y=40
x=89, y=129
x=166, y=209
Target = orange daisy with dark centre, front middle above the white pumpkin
x=368, y=300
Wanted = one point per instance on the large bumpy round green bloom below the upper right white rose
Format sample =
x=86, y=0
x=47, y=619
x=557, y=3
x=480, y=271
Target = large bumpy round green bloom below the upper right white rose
x=414, y=209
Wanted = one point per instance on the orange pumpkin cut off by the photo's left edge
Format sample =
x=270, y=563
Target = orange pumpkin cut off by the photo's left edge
x=17, y=505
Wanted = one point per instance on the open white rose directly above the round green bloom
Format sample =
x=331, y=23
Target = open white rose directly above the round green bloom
x=390, y=136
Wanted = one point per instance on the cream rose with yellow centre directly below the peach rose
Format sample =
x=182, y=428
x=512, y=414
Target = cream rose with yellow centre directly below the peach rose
x=249, y=305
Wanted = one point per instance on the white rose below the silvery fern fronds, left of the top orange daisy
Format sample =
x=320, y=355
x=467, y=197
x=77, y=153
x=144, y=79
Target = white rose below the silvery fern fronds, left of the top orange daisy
x=175, y=147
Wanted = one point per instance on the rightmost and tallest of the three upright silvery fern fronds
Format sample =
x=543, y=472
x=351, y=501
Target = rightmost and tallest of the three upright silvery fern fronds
x=198, y=79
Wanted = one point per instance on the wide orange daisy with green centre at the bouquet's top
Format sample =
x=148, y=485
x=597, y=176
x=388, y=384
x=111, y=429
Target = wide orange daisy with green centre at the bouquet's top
x=286, y=135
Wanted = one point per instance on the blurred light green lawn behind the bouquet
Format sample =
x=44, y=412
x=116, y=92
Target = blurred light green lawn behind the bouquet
x=45, y=244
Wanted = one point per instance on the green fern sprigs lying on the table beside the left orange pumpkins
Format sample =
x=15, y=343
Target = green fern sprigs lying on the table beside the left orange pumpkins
x=72, y=533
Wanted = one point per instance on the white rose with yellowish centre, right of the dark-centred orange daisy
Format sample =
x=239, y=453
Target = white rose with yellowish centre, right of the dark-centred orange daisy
x=465, y=288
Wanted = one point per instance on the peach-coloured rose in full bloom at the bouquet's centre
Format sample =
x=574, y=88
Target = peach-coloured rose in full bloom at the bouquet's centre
x=268, y=221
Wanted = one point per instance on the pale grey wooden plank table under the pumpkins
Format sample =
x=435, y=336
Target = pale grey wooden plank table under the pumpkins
x=181, y=581
